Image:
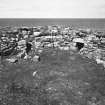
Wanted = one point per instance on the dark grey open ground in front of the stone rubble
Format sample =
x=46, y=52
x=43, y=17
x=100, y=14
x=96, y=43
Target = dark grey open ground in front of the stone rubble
x=60, y=78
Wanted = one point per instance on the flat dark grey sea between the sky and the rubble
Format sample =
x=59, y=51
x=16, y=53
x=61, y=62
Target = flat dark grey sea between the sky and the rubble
x=97, y=24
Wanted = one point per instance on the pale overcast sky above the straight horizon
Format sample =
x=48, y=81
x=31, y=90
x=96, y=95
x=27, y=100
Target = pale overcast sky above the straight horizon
x=52, y=8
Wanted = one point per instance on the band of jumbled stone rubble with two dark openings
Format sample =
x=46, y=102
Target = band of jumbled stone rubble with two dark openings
x=29, y=42
